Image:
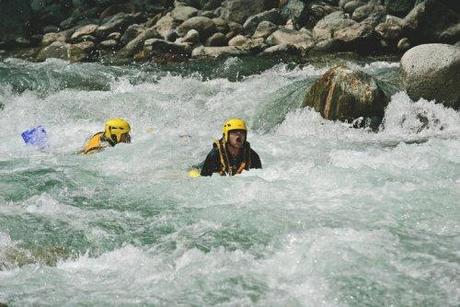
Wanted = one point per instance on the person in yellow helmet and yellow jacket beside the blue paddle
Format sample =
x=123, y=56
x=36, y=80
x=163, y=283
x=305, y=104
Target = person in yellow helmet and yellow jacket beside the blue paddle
x=116, y=131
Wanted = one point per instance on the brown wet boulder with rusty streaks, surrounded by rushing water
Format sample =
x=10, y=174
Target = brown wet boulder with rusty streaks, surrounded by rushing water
x=345, y=94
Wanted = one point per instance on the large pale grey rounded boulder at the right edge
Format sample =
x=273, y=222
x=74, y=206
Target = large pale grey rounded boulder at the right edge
x=432, y=71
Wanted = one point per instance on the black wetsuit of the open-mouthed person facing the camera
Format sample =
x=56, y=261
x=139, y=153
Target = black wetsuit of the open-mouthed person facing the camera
x=212, y=163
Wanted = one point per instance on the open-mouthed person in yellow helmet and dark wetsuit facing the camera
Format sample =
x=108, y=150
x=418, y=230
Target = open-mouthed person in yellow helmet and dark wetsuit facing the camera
x=232, y=154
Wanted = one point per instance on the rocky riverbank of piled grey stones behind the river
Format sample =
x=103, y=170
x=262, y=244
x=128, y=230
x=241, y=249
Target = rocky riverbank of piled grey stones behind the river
x=143, y=31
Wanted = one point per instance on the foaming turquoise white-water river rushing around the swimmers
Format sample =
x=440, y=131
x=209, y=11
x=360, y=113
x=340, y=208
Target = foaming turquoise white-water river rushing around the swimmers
x=337, y=216
